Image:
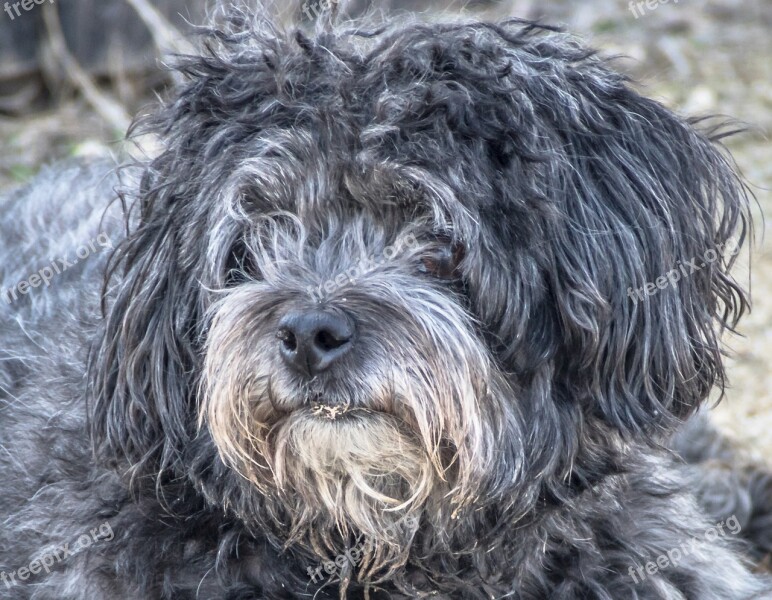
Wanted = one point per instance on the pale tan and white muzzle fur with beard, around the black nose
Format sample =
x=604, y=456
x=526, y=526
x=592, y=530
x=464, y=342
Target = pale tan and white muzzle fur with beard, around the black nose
x=407, y=429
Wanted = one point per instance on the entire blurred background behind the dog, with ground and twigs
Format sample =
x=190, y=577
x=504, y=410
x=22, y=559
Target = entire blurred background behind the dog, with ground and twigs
x=74, y=72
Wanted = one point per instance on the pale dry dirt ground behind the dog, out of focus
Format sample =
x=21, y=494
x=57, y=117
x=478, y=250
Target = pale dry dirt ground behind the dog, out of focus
x=696, y=56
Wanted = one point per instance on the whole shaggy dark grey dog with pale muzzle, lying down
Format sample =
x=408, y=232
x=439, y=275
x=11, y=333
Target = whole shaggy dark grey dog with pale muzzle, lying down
x=367, y=325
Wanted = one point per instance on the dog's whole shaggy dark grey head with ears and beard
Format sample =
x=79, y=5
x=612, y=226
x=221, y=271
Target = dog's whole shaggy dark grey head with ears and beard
x=410, y=272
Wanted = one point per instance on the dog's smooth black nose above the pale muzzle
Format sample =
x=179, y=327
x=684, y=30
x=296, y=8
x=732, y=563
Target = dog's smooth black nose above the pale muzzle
x=310, y=341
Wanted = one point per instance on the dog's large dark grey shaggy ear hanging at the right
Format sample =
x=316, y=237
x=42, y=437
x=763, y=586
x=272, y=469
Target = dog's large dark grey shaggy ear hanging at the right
x=650, y=216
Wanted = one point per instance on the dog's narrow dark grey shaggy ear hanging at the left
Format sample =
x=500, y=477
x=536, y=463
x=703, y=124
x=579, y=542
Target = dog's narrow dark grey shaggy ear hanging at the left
x=142, y=365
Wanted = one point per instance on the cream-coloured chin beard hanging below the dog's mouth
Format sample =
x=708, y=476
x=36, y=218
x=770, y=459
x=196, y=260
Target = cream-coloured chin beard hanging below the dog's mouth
x=357, y=481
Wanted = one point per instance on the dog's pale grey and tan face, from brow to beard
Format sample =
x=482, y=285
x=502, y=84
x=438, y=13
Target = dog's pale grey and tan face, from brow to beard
x=343, y=370
